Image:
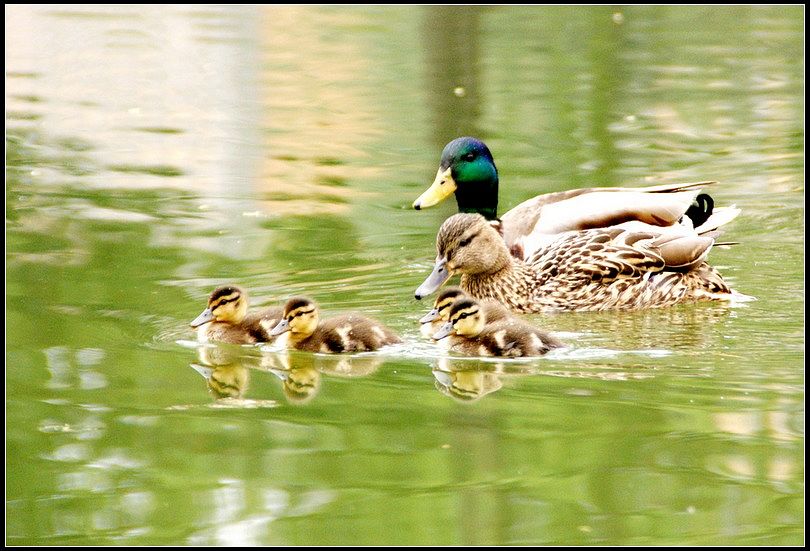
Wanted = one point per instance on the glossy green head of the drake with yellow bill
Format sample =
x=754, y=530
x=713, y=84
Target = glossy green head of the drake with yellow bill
x=466, y=168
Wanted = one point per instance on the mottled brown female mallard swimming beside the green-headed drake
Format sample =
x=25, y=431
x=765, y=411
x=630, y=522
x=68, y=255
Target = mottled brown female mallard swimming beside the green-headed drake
x=587, y=270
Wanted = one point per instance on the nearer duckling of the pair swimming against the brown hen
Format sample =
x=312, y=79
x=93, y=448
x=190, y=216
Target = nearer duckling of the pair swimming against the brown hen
x=470, y=334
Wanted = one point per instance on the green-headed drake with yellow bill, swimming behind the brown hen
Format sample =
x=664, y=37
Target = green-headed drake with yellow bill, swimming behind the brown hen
x=468, y=170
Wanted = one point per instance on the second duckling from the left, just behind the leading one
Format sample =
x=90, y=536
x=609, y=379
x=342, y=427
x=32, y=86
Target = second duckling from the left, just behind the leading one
x=347, y=333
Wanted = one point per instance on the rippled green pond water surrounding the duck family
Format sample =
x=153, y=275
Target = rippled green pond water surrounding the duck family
x=153, y=153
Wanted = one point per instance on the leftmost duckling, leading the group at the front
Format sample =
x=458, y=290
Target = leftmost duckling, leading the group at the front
x=225, y=318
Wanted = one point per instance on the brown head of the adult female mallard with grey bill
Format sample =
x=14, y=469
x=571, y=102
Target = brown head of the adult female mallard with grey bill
x=466, y=244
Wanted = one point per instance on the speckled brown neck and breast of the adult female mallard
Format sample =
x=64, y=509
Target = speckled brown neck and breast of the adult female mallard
x=513, y=285
